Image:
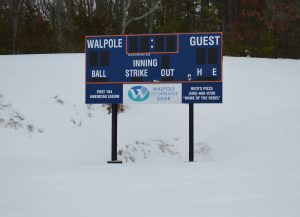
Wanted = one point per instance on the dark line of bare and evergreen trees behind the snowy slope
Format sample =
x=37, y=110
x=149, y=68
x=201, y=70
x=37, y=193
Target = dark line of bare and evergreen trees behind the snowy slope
x=261, y=28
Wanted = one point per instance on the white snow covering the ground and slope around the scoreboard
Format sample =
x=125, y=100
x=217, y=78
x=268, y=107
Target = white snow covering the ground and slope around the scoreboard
x=54, y=148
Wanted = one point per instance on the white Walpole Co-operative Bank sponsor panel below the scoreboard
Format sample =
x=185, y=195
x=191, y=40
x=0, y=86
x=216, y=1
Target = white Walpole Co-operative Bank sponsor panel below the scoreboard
x=152, y=93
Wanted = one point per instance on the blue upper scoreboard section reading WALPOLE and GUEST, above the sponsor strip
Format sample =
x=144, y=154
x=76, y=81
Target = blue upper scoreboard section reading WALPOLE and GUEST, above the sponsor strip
x=152, y=58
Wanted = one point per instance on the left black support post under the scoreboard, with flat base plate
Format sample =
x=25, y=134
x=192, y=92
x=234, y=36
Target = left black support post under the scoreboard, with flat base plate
x=114, y=134
